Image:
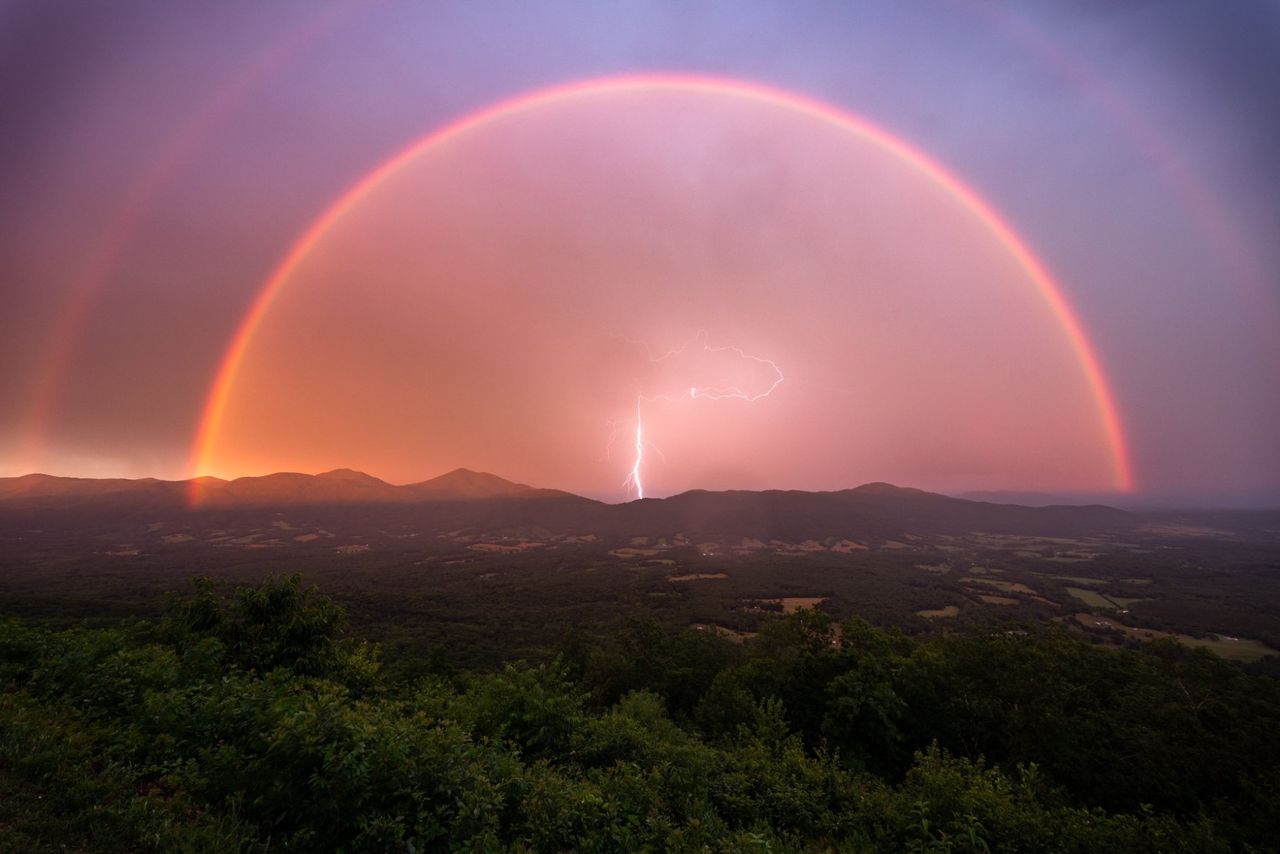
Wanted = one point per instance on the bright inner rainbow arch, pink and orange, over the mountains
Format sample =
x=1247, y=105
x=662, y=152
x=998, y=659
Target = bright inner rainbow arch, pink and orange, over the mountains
x=1108, y=415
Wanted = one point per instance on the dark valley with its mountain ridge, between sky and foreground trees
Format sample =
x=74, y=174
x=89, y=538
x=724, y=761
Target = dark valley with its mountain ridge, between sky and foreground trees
x=495, y=570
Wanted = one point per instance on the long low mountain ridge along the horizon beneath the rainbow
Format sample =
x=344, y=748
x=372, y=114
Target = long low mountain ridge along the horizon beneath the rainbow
x=481, y=501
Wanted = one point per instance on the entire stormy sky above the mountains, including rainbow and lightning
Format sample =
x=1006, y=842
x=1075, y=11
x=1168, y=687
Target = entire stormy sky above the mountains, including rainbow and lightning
x=641, y=248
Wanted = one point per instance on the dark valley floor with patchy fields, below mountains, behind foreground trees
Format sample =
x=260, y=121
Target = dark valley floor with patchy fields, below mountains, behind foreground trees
x=516, y=587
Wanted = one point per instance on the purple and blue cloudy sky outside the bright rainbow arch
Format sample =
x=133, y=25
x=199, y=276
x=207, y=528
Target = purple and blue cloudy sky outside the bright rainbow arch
x=158, y=161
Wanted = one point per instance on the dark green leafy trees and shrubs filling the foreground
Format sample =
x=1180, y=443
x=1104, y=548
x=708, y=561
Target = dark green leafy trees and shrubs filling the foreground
x=250, y=721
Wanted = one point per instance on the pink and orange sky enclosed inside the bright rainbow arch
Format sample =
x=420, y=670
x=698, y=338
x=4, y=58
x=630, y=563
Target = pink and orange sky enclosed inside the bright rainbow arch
x=500, y=300
